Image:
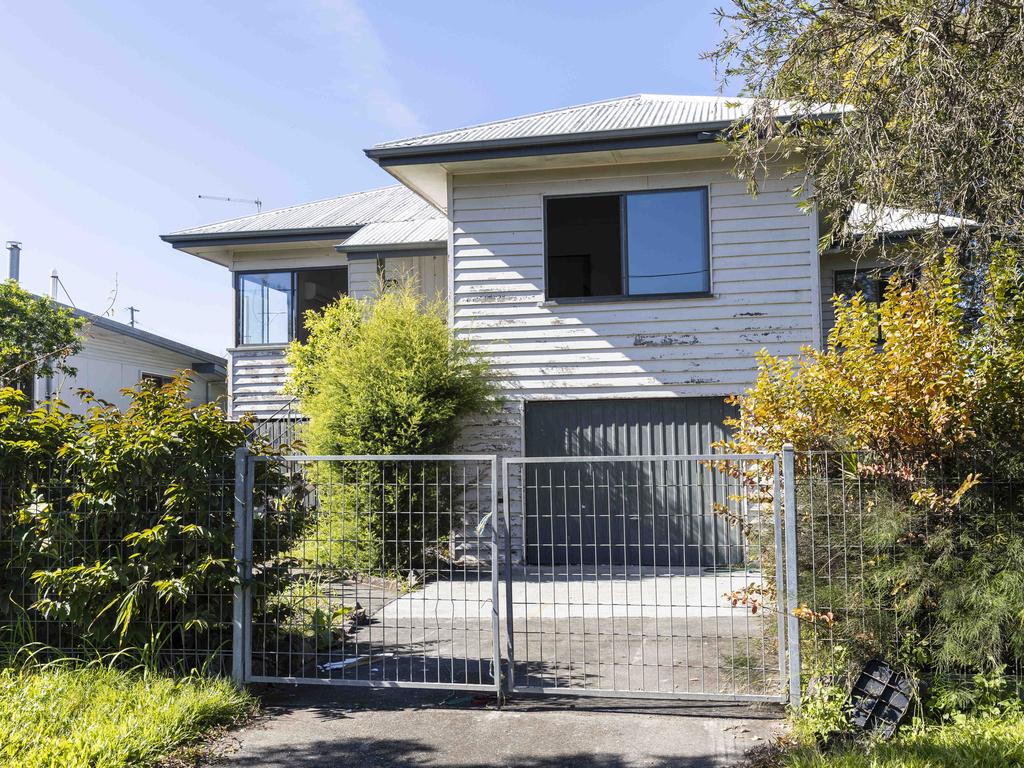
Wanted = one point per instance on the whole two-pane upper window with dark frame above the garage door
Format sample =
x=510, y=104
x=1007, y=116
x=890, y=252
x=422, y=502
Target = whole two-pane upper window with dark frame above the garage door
x=633, y=244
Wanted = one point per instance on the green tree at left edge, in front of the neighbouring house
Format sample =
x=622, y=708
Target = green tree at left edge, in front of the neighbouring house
x=37, y=336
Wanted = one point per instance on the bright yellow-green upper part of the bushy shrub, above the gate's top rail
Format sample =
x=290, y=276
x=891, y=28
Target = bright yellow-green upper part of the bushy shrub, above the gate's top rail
x=388, y=376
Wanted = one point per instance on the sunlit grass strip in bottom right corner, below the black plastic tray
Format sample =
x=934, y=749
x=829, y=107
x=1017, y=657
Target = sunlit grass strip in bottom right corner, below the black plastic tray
x=975, y=743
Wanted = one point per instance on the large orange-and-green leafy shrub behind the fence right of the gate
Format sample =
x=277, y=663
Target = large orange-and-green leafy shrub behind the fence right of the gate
x=922, y=407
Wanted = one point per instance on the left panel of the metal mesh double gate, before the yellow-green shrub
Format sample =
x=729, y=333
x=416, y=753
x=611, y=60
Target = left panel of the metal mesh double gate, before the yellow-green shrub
x=391, y=580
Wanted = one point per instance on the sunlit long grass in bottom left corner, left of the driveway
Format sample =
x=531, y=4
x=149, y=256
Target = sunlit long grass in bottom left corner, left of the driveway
x=102, y=718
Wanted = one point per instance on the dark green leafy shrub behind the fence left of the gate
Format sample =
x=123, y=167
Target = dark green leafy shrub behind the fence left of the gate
x=117, y=527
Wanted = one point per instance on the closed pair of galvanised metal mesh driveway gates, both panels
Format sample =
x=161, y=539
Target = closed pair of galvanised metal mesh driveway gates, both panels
x=605, y=576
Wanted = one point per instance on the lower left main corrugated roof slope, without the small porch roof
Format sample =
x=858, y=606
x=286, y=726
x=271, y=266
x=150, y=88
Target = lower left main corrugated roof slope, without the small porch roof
x=389, y=204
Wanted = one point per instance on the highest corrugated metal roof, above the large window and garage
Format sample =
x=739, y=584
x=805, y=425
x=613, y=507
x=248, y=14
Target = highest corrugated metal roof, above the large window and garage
x=629, y=113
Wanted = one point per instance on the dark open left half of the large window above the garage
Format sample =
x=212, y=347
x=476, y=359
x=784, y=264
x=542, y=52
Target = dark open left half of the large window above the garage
x=584, y=246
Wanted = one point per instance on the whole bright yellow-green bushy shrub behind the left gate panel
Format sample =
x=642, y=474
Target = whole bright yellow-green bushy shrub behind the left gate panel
x=385, y=377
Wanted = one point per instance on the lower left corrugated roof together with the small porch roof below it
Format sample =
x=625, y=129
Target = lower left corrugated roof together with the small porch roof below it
x=390, y=212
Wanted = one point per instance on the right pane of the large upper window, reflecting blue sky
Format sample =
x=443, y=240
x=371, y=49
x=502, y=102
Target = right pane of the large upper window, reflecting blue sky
x=667, y=240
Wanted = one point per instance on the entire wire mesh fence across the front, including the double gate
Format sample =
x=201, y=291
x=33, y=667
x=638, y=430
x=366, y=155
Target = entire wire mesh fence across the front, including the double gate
x=632, y=576
